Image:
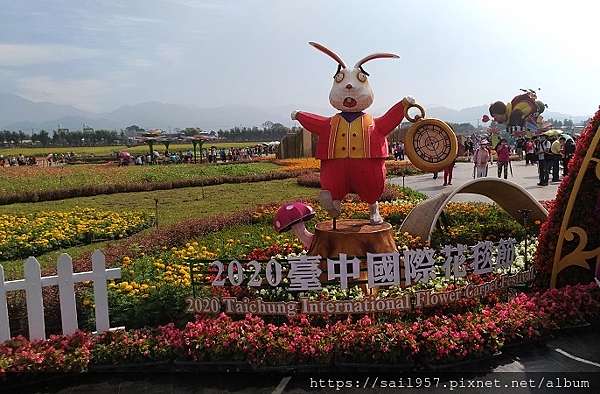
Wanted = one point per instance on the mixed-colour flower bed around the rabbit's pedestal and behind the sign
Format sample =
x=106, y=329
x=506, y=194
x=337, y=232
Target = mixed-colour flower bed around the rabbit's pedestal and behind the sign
x=156, y=276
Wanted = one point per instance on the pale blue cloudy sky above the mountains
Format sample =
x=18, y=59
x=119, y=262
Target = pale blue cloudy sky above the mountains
x=98, y=55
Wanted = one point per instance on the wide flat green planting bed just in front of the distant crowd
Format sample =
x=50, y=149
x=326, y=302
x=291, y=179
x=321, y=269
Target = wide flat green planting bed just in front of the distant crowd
x=17, y=179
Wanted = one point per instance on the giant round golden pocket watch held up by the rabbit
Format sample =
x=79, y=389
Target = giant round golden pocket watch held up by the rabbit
x=430, y=144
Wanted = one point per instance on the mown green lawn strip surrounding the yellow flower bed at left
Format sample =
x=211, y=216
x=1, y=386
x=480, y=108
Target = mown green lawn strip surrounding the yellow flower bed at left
x=174, y=205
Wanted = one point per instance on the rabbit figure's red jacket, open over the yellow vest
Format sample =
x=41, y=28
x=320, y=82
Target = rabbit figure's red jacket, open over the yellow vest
x=375, y=132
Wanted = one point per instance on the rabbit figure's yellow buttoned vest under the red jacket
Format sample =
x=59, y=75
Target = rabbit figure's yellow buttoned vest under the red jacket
x=350, y=140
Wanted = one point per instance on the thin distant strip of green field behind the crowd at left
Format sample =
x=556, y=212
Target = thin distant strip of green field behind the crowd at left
x=107, y=150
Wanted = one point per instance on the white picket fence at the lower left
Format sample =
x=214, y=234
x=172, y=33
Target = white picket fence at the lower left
x=65, y=279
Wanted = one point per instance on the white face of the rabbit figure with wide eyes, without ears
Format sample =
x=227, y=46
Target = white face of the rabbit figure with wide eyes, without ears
x=351, y=91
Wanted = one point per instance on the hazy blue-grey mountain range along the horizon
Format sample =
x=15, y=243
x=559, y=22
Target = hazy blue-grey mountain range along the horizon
x=18, y=113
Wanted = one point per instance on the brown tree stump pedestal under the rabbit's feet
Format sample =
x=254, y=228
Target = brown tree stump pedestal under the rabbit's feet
x=354, y=238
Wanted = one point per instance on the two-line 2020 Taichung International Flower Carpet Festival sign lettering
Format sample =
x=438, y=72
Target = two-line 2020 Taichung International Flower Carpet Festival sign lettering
x=303, y=273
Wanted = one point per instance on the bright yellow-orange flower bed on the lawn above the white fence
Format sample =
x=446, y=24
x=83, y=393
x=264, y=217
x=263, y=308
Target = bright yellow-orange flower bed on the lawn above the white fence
x=36, y=233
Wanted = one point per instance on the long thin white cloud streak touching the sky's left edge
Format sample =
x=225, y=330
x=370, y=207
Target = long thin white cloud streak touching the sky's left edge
x=28, y=54
